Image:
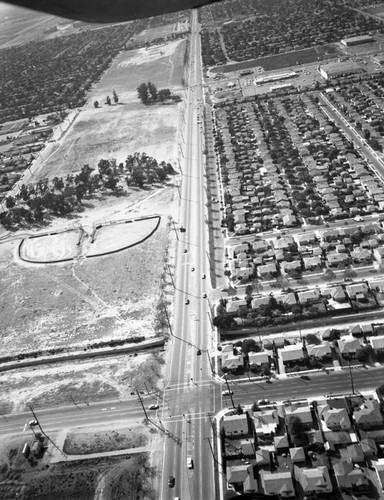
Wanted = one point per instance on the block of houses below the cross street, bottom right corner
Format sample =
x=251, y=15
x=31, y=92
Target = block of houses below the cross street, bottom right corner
x=277, y=465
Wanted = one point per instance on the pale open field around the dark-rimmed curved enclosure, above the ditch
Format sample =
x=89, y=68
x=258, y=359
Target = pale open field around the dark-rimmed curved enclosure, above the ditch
x=112, y=297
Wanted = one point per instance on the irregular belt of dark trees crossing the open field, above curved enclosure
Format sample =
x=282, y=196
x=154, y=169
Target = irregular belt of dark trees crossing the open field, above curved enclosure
x=58, y=197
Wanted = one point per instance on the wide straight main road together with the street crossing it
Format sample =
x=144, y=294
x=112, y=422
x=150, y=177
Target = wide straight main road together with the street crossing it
x=191, y=395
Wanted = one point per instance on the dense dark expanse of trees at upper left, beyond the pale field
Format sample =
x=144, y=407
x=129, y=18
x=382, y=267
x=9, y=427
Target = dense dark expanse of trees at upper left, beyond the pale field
x=46, y=76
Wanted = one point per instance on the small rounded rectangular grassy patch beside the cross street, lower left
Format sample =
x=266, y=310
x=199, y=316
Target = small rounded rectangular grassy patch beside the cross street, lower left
x=86, y=443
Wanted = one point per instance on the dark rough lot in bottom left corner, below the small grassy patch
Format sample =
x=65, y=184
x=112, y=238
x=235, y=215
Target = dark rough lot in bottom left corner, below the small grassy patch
x=123, y=477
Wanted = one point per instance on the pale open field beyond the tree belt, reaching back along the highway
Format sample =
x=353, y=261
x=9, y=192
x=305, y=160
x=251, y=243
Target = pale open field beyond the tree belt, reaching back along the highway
x=121, y=129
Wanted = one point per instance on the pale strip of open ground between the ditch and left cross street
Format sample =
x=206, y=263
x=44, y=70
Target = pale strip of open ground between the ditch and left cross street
x=85, y=381
